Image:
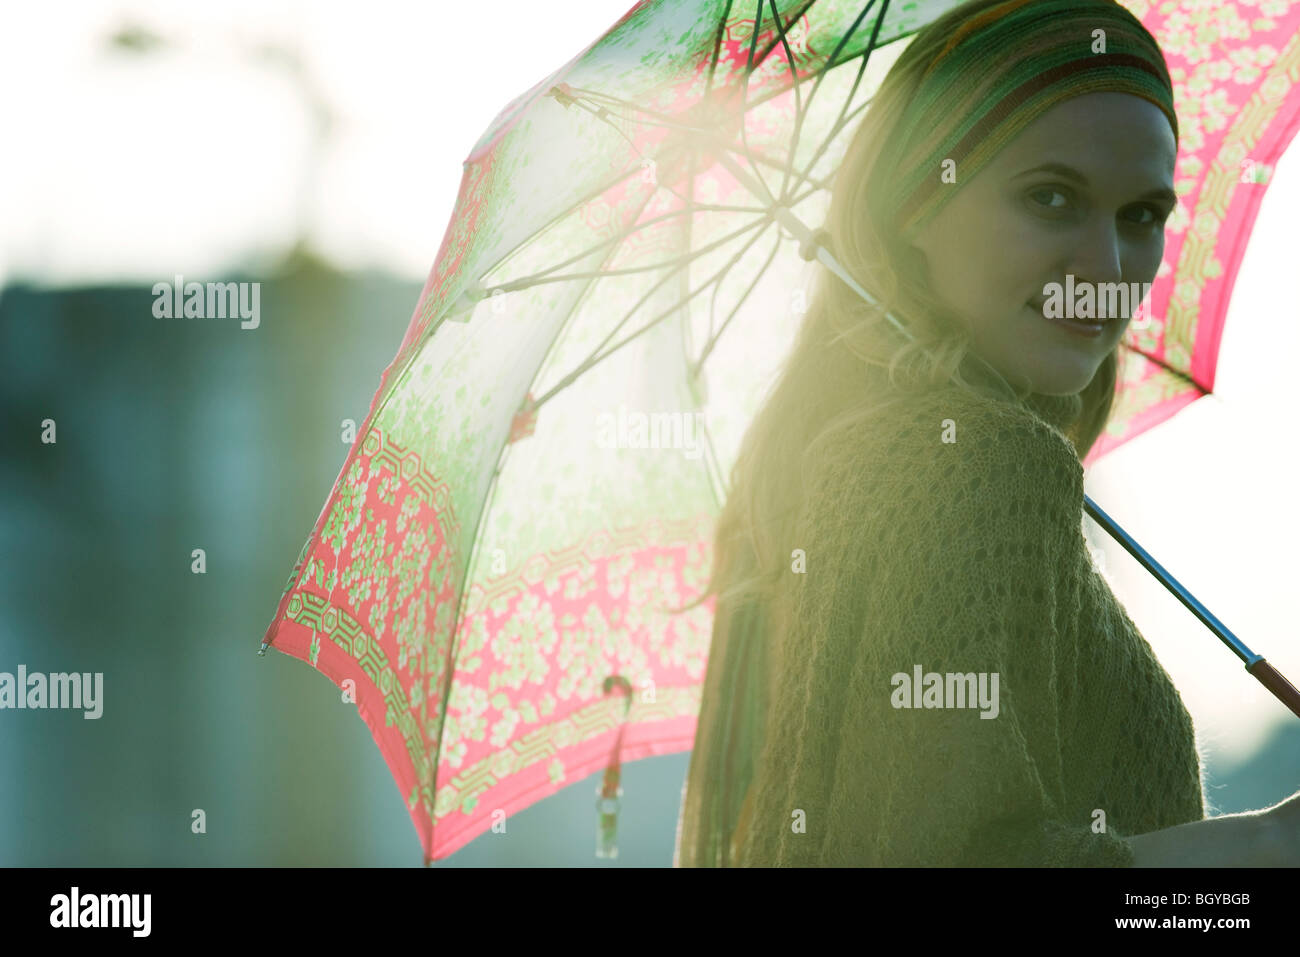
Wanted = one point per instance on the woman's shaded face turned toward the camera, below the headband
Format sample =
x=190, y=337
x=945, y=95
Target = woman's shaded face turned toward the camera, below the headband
x=1098, y=216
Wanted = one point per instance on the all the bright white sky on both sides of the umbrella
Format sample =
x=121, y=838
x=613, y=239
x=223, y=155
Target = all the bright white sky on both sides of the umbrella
x=206, y=155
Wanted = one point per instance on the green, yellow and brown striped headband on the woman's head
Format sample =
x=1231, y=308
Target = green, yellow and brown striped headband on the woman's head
x=1000, y=72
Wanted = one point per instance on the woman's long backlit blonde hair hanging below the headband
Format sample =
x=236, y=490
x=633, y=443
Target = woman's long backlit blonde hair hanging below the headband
x=824, y=395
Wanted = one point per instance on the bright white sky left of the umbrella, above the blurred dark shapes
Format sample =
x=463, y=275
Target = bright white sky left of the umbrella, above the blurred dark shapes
x=200, y=155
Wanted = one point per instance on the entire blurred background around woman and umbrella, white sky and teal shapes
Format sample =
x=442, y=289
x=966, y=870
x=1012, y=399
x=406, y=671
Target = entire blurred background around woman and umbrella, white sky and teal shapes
x=317, y=149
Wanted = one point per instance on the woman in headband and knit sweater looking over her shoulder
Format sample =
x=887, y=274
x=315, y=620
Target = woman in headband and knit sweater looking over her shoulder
x=915, y=661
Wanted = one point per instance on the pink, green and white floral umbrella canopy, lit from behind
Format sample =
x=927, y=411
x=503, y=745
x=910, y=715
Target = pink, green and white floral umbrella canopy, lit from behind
x=538, y=480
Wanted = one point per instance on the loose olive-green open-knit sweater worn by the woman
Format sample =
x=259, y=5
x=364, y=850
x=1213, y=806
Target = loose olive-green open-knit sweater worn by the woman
x=950, y=542
